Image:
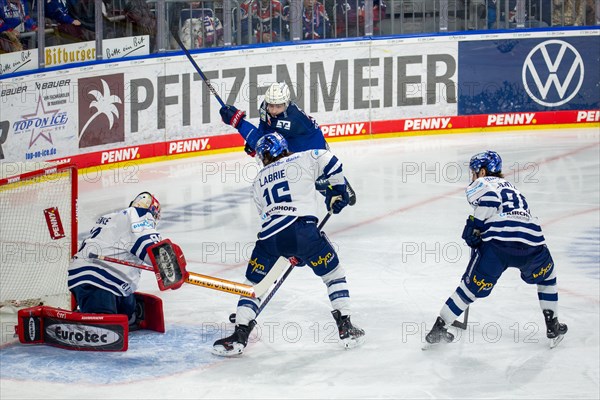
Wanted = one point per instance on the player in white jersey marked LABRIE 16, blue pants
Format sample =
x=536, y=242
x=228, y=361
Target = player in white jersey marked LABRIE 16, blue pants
x=287, y=202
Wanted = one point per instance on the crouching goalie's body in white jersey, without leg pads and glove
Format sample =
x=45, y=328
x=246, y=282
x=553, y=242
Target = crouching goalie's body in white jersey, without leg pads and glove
x=106, y=287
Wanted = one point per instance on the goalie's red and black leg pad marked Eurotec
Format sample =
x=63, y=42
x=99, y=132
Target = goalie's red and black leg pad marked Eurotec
x=72, y=330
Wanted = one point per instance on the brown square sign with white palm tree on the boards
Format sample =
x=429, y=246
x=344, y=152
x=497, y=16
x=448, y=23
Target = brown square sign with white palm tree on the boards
x=101, y=119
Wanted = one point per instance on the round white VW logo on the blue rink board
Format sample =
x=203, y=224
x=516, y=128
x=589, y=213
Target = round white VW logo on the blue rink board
x=556, y=65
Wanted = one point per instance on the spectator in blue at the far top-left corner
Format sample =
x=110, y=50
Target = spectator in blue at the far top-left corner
x=14, y=20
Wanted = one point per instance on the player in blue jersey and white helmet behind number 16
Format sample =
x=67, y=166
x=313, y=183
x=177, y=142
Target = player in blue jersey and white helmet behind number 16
x=279, y=114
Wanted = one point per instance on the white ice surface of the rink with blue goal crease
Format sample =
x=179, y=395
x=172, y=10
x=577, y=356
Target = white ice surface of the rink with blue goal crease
x=401, y=247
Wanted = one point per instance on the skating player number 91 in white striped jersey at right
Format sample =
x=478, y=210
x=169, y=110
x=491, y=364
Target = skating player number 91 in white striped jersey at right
x=502, y=233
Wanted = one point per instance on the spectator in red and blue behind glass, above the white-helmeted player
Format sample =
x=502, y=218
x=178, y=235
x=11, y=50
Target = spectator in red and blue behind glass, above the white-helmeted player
x=264, y=18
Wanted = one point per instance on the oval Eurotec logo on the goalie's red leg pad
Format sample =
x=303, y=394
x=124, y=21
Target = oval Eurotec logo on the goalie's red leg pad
x=109, y=337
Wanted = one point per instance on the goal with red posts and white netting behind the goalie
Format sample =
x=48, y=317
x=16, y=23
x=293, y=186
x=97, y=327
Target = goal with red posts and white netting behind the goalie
x=38, y=233
